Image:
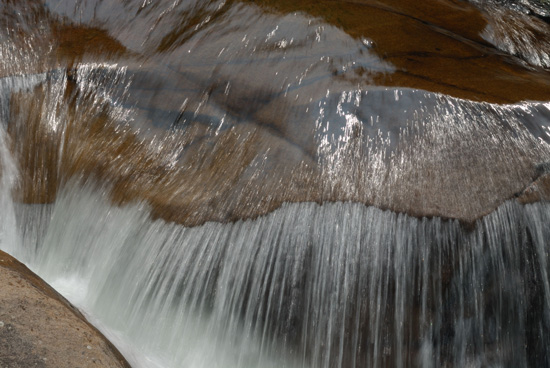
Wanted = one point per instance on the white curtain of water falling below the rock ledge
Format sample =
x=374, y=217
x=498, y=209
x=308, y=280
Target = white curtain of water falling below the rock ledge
x=332, y=285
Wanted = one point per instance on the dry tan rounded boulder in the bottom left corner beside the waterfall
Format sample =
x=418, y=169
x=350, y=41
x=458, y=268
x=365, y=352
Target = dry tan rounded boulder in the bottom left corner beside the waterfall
x=39, y=328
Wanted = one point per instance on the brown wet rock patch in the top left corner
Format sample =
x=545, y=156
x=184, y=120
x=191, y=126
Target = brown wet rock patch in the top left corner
x=39, y=41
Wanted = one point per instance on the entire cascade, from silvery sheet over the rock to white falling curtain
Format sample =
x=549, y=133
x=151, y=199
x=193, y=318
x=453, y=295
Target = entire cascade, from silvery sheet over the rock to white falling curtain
x=245, y=196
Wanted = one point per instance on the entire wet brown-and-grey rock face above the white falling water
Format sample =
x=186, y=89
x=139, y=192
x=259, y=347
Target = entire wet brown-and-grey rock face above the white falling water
x=223, y=110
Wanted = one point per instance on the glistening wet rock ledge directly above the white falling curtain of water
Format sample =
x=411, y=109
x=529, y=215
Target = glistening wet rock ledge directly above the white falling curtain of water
x=410, y=151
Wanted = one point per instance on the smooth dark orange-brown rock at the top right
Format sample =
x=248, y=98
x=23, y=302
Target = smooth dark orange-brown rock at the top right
x=434, y=45
